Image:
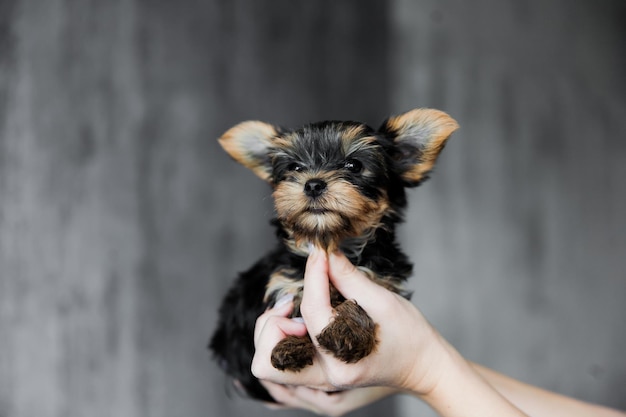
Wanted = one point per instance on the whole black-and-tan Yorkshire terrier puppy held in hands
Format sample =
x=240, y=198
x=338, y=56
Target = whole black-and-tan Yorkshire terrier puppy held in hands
x=338, y=186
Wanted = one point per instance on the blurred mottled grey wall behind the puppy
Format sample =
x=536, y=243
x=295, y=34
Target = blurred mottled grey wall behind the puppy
x=122, y=222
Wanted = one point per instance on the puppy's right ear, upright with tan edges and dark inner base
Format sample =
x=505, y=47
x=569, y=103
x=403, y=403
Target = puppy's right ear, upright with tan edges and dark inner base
x=418, y=137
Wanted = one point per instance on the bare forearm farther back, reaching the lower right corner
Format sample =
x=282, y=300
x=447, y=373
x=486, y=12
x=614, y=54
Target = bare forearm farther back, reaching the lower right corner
x=537, y=402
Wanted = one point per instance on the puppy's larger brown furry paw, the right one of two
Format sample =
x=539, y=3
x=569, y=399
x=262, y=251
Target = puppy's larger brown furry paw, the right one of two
x=352, y=334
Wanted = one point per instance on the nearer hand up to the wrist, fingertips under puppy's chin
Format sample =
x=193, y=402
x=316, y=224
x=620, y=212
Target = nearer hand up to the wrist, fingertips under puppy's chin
x=408, y=351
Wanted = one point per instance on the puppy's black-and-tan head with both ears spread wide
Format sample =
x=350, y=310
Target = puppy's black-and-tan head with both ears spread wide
x=338, y=180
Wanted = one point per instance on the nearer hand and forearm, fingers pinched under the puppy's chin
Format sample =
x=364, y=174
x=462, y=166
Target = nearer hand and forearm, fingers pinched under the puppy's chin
x=411, y=355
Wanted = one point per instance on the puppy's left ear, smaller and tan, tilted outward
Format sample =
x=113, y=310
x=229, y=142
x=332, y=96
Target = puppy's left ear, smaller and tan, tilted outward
x=248, y=143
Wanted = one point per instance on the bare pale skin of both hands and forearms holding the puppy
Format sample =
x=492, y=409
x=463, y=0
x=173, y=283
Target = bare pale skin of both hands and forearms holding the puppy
x=424, y=364
